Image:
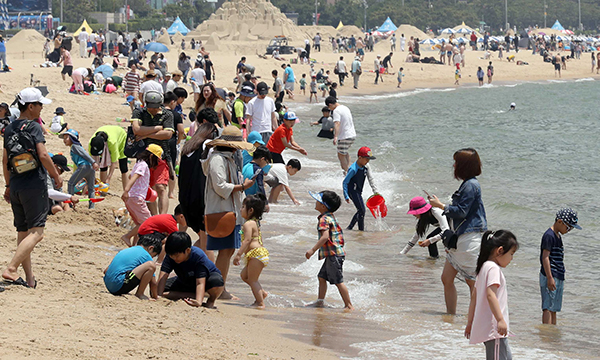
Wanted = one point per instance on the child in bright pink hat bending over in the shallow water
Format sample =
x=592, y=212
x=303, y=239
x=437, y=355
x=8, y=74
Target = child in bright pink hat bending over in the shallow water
x=426, y=215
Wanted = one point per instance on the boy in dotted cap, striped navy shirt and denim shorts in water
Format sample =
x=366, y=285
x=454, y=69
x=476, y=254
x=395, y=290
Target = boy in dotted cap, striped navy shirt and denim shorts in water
x=552, y=271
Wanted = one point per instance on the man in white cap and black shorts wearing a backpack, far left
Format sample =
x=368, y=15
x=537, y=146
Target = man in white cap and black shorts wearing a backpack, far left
x=27, y=192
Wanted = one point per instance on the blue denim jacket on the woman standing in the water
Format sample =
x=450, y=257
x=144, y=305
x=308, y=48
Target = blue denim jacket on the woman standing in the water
x=467, y=211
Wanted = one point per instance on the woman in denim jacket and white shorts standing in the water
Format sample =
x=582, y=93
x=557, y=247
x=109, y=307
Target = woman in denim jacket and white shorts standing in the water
x=466, y=215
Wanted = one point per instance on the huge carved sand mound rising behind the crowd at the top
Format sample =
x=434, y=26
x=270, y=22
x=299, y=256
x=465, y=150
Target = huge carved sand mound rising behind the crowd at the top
x=249, y=20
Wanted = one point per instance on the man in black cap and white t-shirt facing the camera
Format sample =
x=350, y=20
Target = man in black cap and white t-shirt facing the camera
x=260, y=113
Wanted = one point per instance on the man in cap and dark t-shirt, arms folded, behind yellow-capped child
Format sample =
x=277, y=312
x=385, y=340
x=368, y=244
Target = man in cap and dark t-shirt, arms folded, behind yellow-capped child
x=156, y=126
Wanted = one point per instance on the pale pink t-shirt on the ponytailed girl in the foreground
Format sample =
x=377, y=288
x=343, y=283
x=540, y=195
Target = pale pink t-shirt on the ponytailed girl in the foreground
x=485, y=326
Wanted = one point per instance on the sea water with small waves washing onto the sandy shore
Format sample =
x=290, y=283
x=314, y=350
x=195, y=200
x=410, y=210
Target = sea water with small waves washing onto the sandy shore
x=537, y=159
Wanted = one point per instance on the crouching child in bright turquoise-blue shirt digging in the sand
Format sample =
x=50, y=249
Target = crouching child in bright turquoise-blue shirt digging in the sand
x=134, y=267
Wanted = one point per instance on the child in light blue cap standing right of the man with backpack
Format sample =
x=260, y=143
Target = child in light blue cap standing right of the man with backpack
x=86, y=165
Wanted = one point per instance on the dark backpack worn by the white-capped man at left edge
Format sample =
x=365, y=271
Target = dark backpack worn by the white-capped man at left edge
x=21, y=149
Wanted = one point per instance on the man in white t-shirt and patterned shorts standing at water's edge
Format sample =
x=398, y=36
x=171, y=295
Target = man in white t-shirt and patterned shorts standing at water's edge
x=344, y=133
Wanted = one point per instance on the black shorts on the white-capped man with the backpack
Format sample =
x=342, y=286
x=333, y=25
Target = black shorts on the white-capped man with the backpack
x=30, y=208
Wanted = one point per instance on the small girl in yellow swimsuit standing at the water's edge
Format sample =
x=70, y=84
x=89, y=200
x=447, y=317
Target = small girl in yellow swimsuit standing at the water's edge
x=256, y=256
